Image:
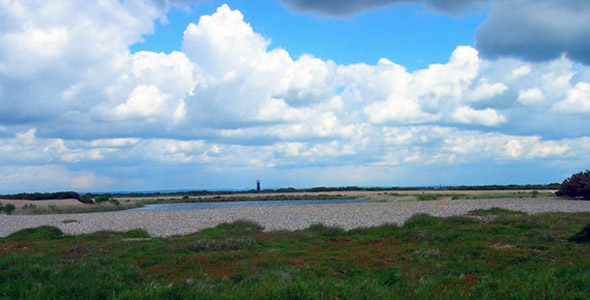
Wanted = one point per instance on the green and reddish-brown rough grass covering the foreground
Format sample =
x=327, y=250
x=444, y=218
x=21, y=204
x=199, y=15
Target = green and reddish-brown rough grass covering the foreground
x=495, y=254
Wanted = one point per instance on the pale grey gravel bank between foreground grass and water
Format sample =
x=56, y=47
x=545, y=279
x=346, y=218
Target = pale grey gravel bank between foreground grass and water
x=346, y=216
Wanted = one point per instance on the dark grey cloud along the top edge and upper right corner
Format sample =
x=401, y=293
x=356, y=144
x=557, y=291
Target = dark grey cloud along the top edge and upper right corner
x=530, y=30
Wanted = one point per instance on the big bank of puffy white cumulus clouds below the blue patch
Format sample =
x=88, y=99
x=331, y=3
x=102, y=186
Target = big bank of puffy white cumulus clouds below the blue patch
x=77, y=105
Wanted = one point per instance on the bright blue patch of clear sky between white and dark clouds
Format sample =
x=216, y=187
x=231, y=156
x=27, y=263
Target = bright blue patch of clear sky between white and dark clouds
x=408, y=34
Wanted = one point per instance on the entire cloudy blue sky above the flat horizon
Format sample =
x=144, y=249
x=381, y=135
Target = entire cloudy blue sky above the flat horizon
x=139, y=95
